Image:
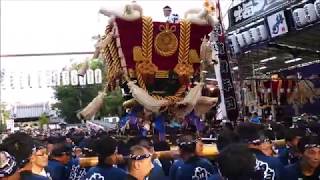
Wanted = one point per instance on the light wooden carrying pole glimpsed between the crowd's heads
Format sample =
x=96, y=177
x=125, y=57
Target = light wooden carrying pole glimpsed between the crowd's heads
x=209, y=150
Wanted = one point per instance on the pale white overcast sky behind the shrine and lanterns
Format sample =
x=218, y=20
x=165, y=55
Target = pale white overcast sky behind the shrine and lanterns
x=44, y=26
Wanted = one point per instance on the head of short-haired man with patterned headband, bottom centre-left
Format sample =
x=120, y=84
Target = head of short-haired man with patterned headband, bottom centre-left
x=140, y=165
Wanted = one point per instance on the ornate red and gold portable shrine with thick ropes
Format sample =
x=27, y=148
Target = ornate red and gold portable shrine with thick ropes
x=161, y=57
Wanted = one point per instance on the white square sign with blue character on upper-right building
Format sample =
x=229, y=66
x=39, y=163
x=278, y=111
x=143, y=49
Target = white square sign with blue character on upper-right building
x=277, y=24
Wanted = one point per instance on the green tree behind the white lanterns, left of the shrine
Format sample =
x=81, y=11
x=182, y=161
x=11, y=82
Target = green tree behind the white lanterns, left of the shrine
x=72, y=99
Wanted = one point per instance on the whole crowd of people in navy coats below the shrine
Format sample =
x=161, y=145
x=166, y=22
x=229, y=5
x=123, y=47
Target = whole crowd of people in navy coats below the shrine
x=246, y=151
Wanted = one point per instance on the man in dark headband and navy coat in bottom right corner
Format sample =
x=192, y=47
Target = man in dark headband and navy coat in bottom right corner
x=309, y=165
